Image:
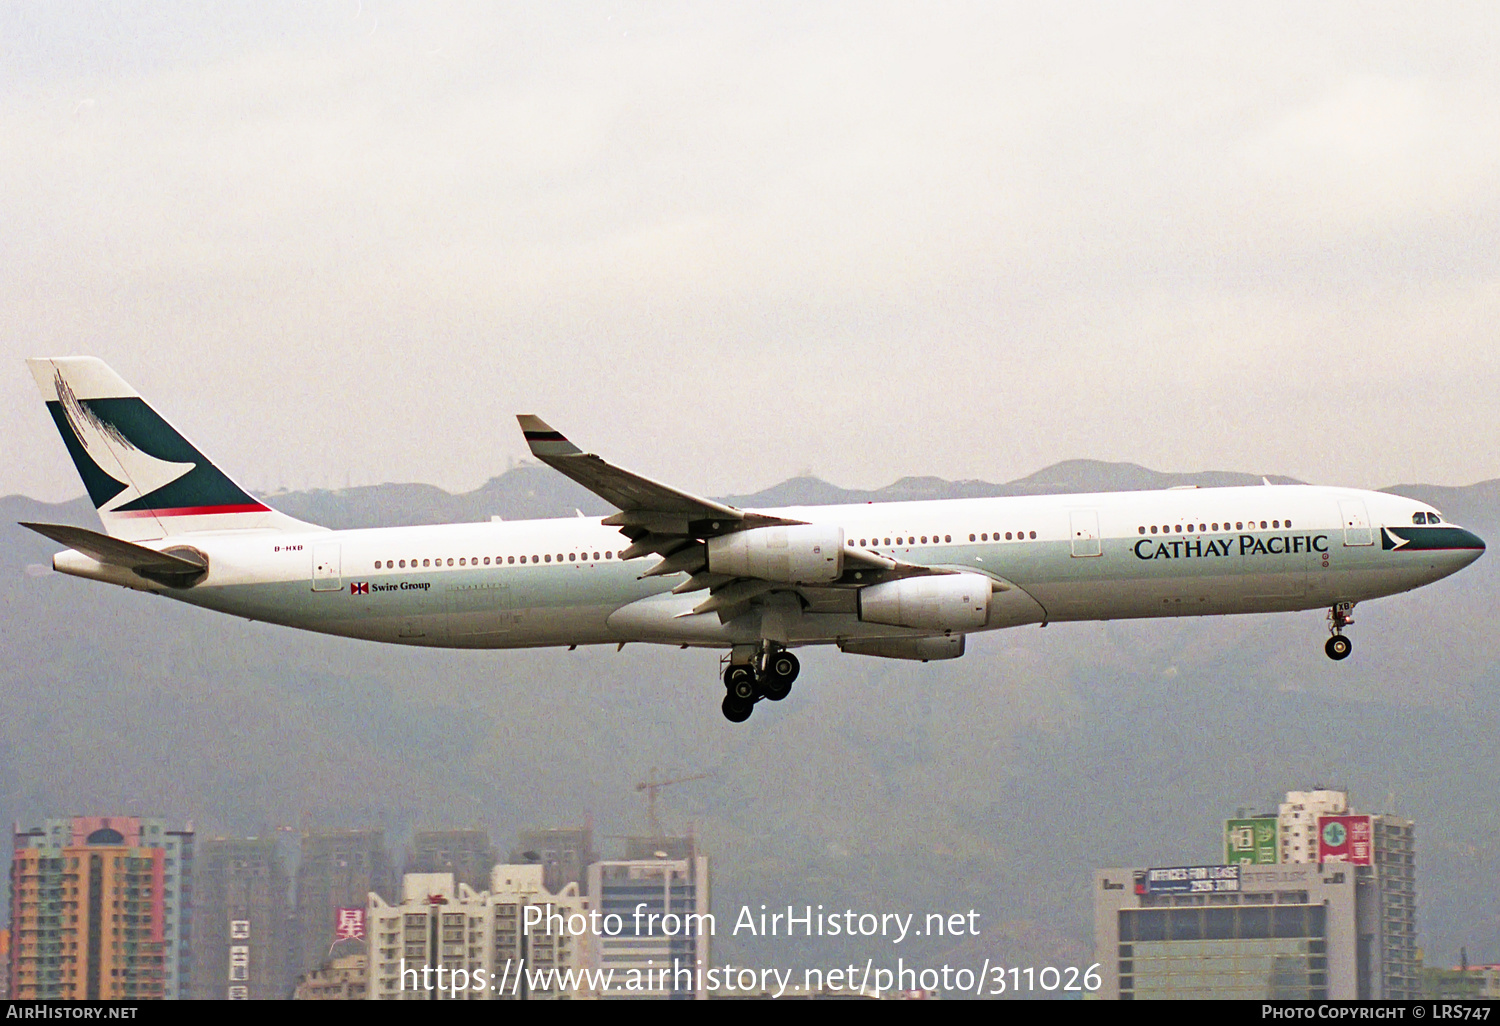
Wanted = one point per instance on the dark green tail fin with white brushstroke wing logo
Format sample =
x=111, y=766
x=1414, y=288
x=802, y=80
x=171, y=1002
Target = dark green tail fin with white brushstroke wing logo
x=145, y=479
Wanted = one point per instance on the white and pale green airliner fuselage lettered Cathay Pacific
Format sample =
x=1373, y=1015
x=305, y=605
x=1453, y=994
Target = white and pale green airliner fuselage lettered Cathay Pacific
x=1054, y=559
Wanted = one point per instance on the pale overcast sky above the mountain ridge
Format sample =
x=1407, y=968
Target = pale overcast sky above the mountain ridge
x=725, y=245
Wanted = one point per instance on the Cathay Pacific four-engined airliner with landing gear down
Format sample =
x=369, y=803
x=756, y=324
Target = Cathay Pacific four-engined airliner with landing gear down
x=892, y=580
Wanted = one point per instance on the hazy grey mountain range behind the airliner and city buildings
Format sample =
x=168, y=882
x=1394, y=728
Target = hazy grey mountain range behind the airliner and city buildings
x=997, y=782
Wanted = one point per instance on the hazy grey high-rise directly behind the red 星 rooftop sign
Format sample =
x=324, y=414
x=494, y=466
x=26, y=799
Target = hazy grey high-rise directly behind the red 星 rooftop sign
x=337, y=871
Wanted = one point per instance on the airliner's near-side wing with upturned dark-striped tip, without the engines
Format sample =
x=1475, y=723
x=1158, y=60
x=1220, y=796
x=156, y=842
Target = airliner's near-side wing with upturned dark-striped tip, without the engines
x=676, y=526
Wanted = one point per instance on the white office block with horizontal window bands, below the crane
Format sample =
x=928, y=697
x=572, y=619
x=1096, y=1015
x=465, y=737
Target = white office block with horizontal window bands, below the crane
x=664, y=949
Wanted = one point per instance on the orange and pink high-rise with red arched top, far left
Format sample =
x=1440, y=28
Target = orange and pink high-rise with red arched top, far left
x=101, y=910
